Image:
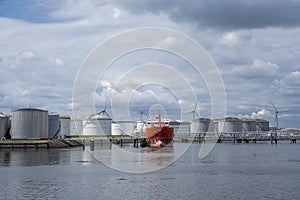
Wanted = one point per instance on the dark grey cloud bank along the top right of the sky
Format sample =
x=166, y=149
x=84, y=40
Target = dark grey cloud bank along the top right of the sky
x=228, y=14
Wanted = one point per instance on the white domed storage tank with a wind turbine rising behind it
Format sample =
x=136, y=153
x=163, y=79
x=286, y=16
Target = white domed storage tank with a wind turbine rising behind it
x=97, y=125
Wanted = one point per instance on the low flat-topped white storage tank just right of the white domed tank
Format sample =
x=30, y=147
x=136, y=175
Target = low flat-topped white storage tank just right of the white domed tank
x=122, y=128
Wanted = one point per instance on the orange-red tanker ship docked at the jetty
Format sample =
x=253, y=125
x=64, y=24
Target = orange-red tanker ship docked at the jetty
x=159, y=135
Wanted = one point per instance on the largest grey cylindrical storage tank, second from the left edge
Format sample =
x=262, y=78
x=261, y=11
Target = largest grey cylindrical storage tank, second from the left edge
x=29, y=123
